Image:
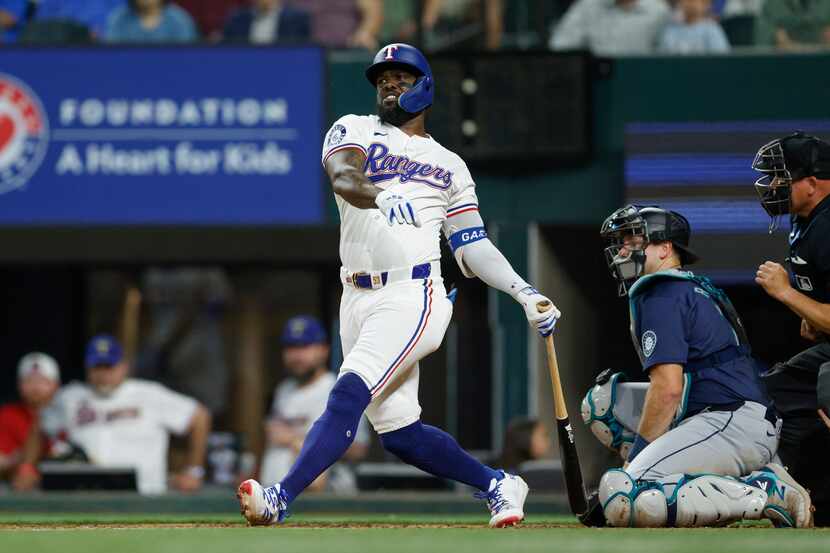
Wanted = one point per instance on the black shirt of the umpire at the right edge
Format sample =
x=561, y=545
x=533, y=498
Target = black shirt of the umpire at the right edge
x=809, y=259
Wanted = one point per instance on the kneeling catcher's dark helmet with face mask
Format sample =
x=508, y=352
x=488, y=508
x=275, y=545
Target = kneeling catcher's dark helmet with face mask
x=627, y=261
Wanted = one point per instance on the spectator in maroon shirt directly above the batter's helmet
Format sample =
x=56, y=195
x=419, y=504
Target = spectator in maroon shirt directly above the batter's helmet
x=344, y=23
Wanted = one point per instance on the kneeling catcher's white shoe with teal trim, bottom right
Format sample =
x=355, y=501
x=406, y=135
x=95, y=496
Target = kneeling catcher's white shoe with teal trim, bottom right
x=788, y=504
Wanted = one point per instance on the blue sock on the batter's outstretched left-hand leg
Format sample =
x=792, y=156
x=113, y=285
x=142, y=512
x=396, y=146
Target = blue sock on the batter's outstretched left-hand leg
x=330, y=436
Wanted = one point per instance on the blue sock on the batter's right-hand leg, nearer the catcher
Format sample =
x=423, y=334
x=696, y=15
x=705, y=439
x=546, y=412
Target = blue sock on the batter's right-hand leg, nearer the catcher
x=436, y=452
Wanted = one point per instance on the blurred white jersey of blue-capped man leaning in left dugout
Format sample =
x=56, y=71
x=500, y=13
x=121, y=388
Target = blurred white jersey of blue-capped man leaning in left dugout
x=129, y=428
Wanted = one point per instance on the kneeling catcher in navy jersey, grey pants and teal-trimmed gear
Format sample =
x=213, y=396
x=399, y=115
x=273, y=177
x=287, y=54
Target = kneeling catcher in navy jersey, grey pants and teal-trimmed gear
x=707, y=434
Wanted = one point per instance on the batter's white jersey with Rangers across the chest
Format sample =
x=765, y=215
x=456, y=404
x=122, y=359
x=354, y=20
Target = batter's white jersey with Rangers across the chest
x=435, y=180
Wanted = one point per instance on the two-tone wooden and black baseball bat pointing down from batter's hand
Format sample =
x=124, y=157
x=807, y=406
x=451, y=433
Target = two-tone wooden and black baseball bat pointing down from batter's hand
x=567, y=446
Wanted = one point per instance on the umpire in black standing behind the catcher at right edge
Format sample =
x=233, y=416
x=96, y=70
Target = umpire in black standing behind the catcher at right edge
x=796, y=181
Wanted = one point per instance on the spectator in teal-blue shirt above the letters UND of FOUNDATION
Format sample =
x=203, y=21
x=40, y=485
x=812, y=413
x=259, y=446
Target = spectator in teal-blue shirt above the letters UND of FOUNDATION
x=143, y=21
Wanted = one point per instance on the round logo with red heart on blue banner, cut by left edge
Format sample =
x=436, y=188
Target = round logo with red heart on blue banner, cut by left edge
x=24, y=133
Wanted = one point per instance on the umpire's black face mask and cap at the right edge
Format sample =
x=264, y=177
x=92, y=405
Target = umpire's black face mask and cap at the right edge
x=784, y=161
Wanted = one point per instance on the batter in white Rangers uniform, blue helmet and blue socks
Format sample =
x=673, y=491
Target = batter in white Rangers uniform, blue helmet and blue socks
x=396, y=190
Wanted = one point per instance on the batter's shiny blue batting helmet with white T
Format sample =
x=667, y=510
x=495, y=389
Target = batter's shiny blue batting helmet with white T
x=420, y=96
